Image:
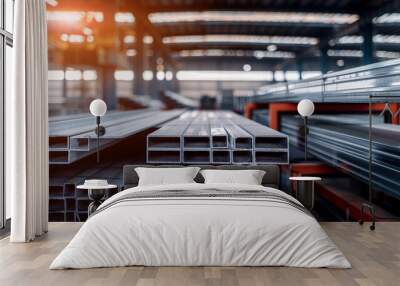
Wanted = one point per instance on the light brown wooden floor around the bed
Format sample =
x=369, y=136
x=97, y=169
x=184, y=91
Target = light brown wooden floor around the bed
x=375, y=257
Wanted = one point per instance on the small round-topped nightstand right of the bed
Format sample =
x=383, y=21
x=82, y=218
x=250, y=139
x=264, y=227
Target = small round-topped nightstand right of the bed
x=305, y=190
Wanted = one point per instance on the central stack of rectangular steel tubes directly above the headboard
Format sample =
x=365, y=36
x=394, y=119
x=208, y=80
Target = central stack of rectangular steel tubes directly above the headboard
x=216, y=138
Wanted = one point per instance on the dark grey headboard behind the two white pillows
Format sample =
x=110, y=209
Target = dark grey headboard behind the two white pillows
x=271, y=177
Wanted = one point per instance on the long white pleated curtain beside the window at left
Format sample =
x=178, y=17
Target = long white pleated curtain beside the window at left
x=26, y=124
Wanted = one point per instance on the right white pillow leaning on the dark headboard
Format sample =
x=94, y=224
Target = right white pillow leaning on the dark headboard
x=248, y=177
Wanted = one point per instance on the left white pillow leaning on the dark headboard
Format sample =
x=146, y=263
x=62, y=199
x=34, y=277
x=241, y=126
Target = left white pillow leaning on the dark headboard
x=166, y=176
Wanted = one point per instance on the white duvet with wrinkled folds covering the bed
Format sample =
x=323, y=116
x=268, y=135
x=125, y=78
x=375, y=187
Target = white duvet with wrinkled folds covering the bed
x=205, y=231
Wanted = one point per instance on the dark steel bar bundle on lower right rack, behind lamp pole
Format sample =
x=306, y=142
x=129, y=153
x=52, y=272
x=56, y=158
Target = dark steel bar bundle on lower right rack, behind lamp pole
x=346, y=146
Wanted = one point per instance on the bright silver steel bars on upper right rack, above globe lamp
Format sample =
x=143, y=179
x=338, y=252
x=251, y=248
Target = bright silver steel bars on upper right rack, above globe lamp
x=351, y=85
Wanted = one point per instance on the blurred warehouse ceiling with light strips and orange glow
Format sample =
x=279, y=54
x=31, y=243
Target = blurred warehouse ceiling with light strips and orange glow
x=276, y=33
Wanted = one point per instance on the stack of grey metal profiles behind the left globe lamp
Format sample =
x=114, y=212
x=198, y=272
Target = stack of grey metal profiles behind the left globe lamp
x=72, y=137
